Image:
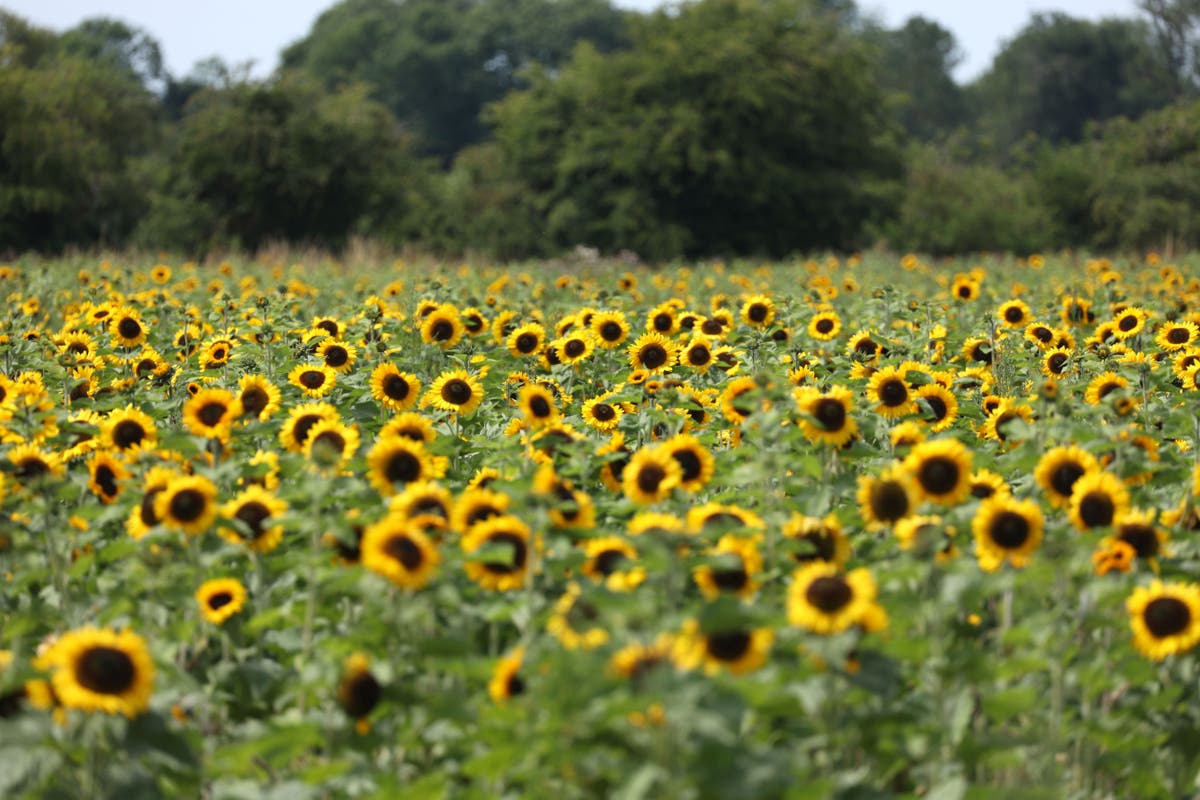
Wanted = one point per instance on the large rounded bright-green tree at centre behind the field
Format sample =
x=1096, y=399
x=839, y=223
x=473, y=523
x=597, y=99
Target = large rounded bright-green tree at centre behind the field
x=731, y=127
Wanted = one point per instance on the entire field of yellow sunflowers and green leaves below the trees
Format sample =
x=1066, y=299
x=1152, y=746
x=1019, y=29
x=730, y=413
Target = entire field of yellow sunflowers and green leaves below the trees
x=859, y=527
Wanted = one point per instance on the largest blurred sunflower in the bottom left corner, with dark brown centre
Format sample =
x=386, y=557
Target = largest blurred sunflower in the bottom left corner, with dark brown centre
x=101, y=670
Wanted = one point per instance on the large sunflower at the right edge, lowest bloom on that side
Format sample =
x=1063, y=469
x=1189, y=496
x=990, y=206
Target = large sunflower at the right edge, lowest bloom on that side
x=1165, y=618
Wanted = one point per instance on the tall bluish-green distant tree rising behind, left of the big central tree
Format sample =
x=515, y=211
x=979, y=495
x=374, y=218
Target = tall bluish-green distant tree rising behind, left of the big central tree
x=437, y=63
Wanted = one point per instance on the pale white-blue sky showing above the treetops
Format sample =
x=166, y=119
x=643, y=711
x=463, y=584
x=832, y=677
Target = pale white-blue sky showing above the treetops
x=256, y=31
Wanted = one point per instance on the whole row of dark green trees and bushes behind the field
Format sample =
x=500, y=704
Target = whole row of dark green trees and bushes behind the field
x=525, y=128
